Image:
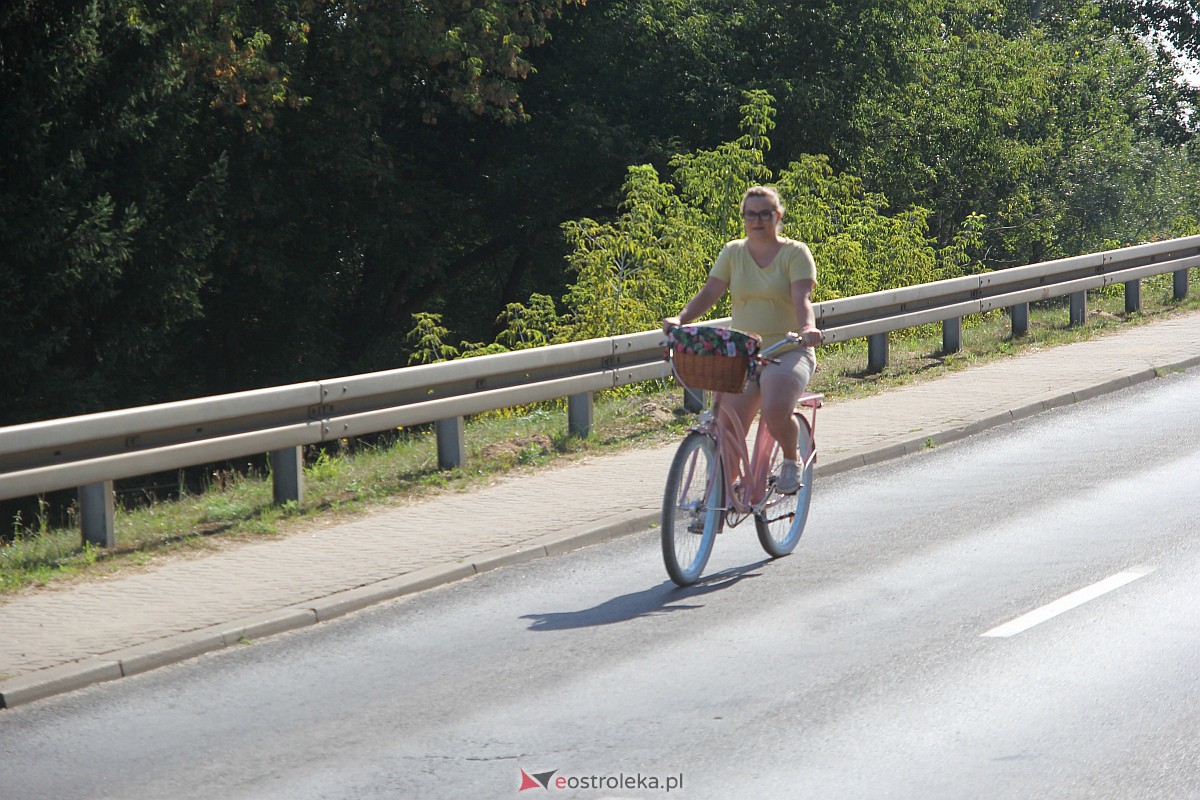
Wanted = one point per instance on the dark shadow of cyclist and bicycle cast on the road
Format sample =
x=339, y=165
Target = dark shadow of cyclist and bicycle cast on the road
x=662, y=599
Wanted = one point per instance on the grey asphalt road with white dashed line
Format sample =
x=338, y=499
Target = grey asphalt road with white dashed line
x=1009, y=617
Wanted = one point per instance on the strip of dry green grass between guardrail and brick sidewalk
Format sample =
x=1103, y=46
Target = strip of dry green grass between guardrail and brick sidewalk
x=359, y=477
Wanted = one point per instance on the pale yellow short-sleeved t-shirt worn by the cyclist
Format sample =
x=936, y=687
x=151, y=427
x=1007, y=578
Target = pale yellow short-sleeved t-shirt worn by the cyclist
x=763, y=297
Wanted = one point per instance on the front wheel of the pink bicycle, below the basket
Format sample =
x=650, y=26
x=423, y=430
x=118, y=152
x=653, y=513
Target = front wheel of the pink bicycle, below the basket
x=692, y=508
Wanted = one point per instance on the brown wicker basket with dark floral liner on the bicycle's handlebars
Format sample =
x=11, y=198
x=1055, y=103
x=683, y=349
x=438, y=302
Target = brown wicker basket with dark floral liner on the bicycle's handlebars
x=717, y=359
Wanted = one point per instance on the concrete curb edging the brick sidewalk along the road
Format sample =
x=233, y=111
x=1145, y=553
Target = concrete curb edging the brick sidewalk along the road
x=183, y=647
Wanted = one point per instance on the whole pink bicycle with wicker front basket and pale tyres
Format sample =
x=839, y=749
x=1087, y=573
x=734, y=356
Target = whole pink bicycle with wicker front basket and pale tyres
x=715, y=480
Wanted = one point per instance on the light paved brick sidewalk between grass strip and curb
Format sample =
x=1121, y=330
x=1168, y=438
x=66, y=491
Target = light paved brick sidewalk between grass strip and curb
x=64, y=639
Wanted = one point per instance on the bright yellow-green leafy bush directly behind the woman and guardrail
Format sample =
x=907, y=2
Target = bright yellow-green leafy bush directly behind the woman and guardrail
x=643, y=267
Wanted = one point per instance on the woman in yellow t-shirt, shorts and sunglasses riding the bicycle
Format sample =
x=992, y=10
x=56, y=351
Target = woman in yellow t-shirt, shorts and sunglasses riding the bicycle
x=771, y=281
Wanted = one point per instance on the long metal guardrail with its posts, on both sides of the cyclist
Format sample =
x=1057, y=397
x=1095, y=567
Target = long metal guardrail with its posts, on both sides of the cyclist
x=94, y=450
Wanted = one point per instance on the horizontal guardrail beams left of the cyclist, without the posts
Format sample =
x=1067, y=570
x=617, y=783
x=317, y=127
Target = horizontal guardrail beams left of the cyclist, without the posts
x=62, y=454
